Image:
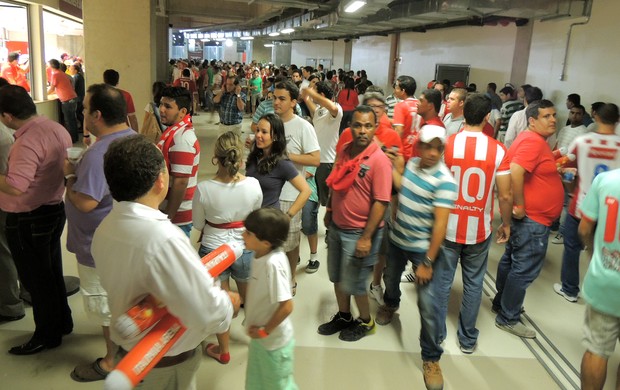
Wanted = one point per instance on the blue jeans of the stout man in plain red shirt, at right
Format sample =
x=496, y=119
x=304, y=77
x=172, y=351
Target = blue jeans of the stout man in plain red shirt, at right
x=519, y=267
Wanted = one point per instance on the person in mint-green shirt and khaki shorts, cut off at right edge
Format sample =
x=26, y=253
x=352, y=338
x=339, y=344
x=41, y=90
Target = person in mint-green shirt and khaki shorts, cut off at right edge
x=598, y=230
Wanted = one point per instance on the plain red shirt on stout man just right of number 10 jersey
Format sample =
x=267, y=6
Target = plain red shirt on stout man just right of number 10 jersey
x=542, y=187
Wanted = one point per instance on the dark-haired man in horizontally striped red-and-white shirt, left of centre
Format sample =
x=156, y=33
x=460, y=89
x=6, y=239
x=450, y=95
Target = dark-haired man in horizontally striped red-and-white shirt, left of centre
x=181, y=151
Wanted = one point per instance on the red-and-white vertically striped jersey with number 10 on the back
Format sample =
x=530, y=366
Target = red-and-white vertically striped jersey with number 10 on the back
x=474, y=159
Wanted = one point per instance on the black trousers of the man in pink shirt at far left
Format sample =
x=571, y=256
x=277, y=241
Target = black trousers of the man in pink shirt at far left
x=34, y=240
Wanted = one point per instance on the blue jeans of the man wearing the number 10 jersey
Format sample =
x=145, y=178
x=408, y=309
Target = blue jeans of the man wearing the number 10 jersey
x=473, y=266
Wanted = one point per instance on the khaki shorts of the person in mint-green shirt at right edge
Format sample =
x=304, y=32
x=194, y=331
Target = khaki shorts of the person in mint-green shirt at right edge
x=600, y=332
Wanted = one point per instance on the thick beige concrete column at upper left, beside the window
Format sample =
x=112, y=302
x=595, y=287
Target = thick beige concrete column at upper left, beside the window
x=130, y=50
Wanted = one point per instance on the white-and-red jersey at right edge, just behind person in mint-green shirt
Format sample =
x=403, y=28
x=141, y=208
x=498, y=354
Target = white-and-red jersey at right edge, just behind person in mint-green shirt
x=595, y=153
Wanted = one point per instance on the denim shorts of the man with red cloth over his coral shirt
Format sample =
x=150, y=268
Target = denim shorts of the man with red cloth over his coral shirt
x=343, y=267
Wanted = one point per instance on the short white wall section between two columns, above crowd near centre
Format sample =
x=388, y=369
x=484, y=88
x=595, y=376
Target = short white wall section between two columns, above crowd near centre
x=372, y=54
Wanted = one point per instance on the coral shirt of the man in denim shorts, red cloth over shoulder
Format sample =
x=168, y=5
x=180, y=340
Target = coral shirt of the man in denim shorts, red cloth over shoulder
x=351, y=208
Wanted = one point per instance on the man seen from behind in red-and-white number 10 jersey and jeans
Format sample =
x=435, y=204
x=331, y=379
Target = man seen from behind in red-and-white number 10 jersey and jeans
x=477, y=163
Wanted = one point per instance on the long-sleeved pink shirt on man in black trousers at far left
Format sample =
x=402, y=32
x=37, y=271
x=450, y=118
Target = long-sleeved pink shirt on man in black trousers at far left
x=35, y=165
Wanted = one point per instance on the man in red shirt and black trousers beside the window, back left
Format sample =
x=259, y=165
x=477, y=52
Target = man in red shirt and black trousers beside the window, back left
x=60, y=84
